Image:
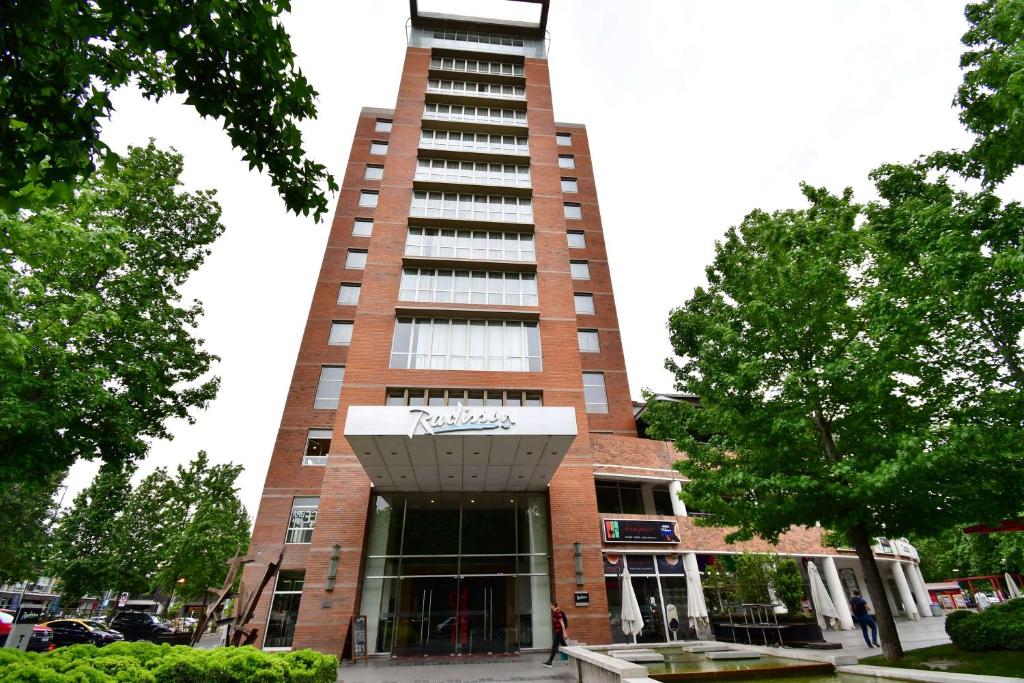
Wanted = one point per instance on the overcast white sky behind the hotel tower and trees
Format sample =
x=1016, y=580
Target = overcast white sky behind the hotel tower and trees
x=698, y=113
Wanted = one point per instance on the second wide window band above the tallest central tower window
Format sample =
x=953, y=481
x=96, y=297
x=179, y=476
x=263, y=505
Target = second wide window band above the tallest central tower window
x=476, y=245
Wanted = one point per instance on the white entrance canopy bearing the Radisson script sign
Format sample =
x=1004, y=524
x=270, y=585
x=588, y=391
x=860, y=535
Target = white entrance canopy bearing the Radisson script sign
x=456, y=448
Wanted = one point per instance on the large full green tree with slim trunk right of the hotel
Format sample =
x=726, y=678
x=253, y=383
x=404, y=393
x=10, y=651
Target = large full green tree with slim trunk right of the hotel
x=833, y=391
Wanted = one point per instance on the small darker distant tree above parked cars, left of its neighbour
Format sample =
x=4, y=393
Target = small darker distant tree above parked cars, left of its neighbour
x=86, y=551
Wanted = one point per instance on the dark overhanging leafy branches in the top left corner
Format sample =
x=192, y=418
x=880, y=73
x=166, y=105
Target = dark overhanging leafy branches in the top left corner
x=61, y=61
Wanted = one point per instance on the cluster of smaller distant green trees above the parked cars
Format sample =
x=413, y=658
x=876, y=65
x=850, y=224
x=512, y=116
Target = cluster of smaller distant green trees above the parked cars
x=148, y=538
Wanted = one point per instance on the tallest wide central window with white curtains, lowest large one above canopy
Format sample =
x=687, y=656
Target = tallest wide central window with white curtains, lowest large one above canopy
x=460, y=345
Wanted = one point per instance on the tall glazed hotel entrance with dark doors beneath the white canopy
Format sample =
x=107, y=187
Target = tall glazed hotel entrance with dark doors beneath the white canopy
x=457, y=574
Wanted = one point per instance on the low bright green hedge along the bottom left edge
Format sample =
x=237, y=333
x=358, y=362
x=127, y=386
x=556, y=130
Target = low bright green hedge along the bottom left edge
x=147, y=663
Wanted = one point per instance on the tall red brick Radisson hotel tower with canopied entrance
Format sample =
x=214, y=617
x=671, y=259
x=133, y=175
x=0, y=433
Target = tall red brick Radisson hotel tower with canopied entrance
x=459, y=445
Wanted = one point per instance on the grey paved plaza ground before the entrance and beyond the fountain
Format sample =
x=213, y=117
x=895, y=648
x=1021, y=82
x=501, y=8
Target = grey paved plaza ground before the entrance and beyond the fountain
x=529, y=667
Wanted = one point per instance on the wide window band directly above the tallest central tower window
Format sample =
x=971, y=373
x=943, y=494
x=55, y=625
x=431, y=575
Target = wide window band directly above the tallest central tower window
x=509, y=289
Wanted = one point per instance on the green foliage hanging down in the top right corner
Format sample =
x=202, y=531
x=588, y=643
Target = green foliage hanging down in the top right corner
x=992, y=96
